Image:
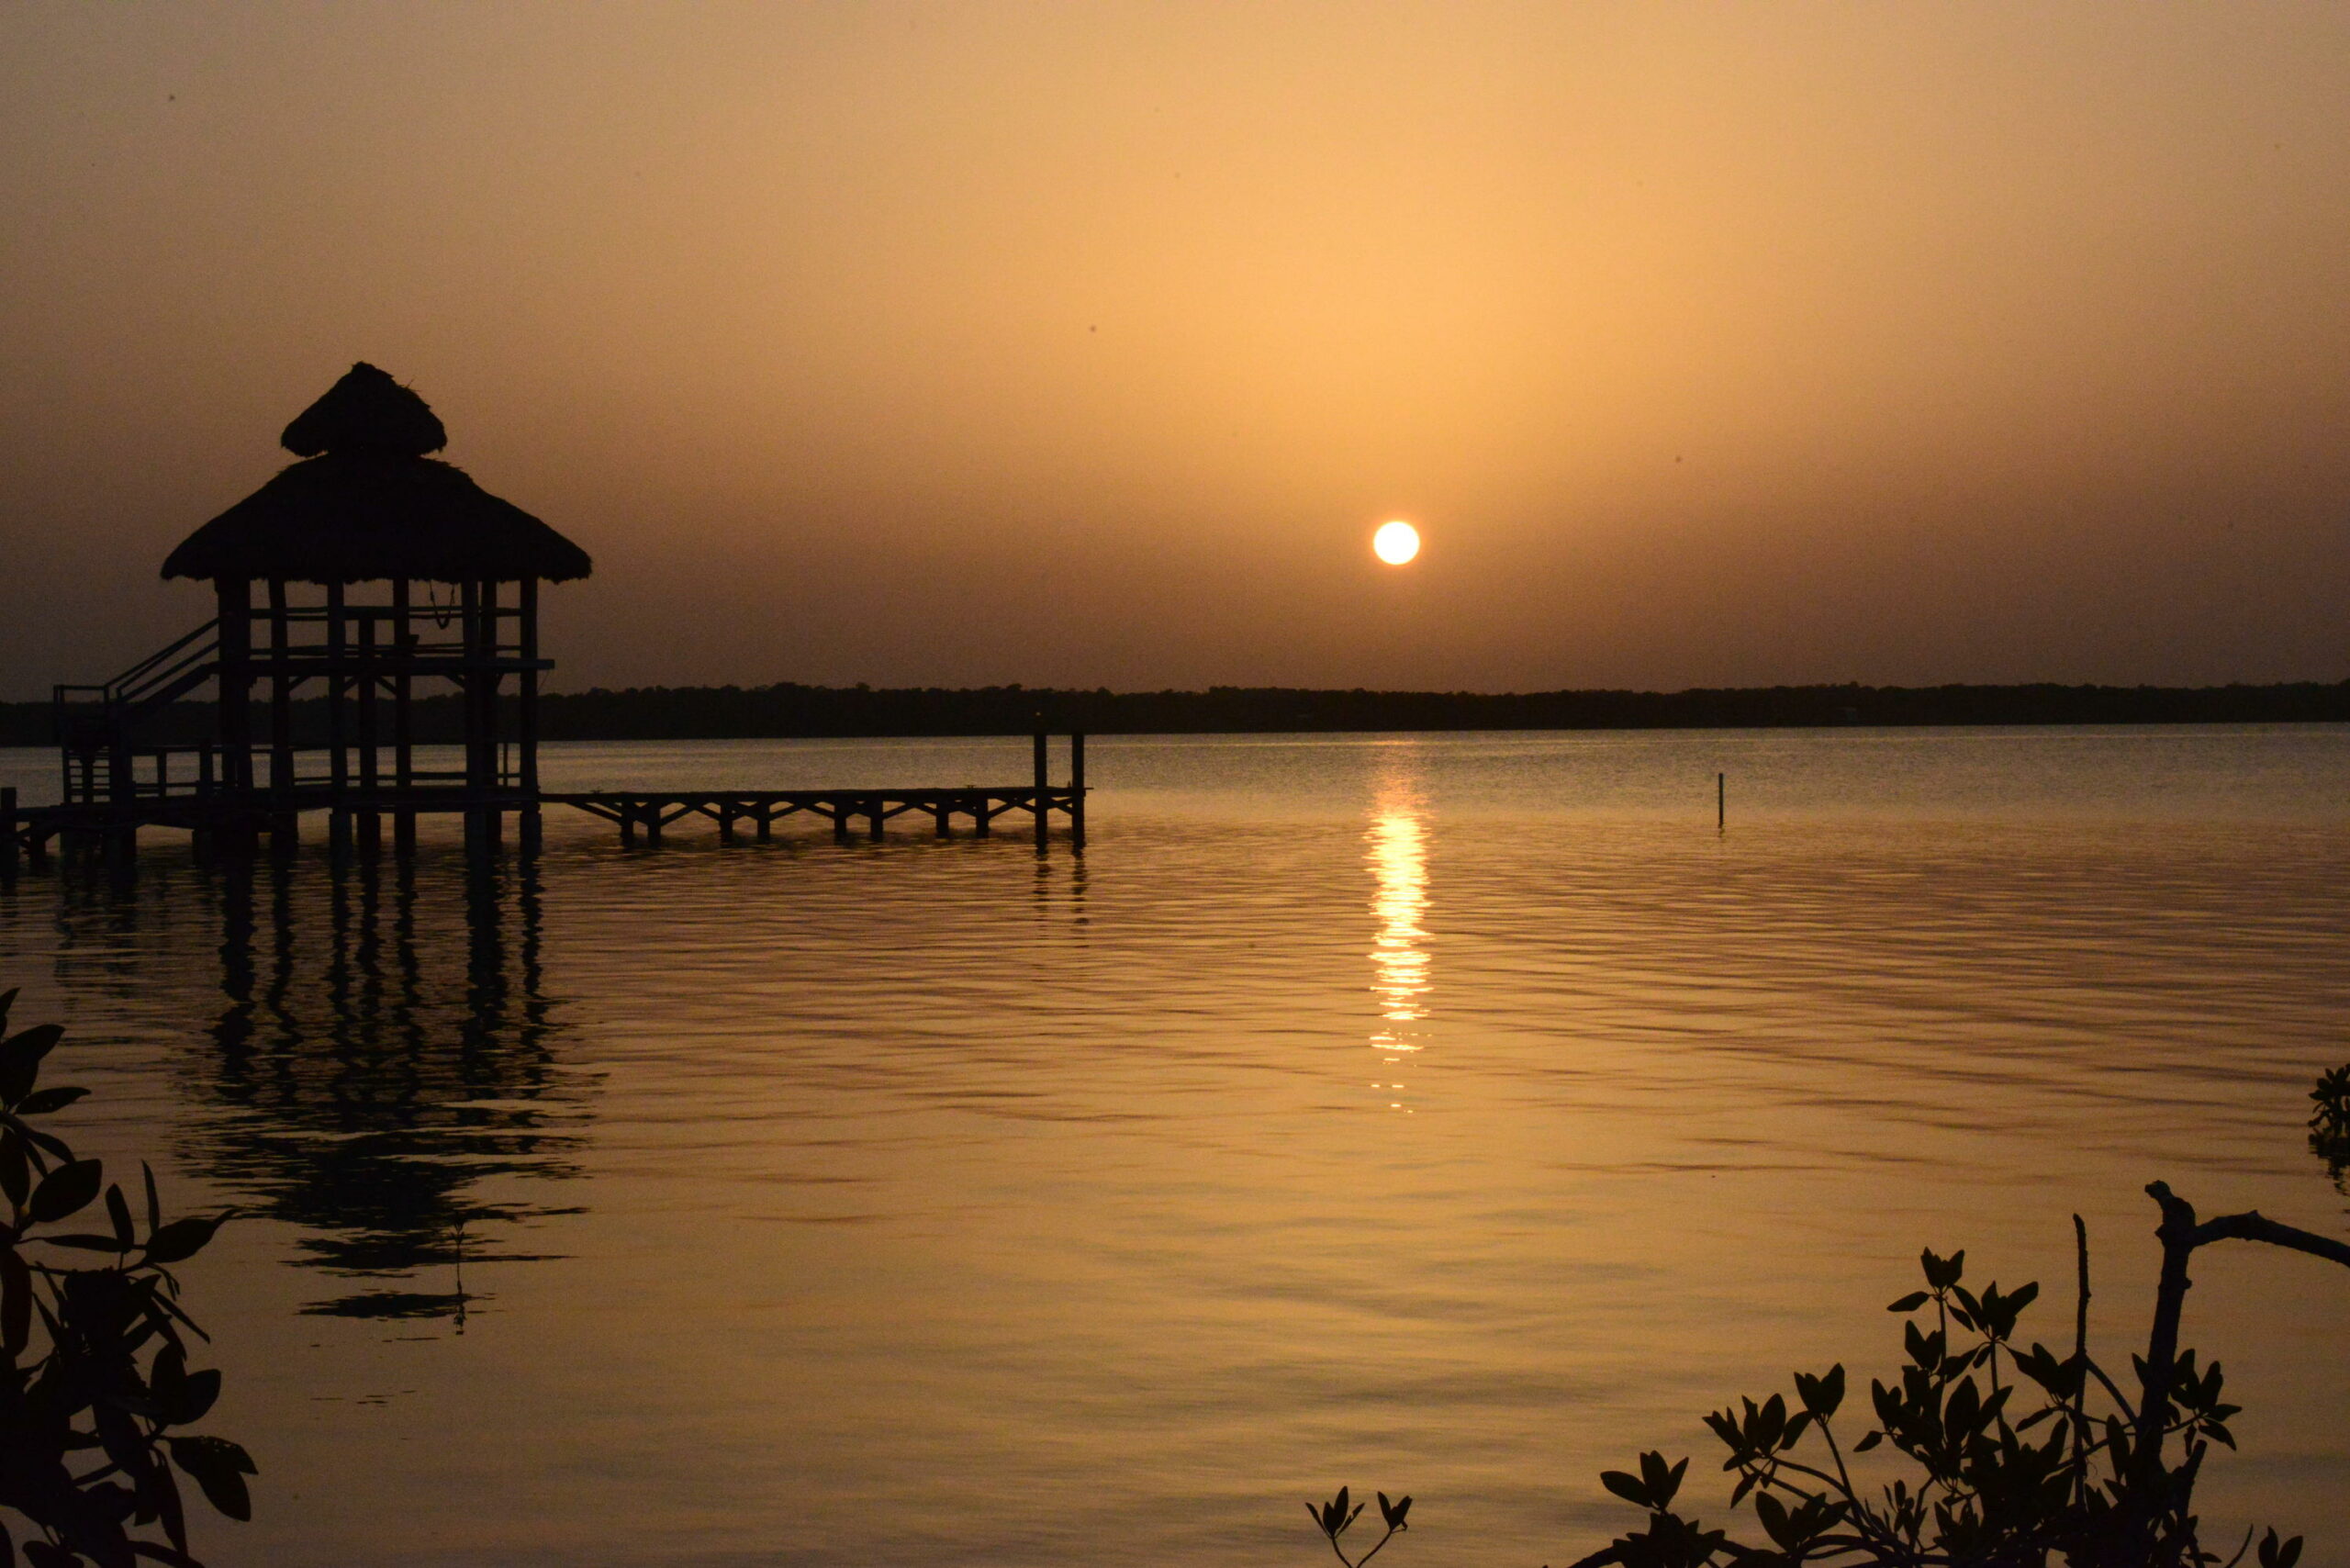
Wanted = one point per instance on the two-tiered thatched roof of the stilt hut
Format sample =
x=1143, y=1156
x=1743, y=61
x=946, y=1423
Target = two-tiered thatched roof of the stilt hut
x=368, y=507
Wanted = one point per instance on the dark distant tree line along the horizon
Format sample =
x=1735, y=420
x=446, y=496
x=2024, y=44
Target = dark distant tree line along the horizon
x=723, y=713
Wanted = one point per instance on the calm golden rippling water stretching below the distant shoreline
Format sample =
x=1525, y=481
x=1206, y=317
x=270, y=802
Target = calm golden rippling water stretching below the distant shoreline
x=1444, y=1115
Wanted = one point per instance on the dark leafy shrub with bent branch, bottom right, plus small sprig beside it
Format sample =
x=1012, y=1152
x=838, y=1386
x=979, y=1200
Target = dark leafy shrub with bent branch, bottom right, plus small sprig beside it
x=2015, y=1456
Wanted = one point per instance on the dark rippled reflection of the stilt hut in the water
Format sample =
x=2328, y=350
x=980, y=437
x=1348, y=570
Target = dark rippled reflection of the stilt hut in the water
x=382, y=1073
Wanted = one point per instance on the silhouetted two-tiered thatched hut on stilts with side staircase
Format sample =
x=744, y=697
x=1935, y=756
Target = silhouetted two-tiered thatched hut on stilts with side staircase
x=368, y=575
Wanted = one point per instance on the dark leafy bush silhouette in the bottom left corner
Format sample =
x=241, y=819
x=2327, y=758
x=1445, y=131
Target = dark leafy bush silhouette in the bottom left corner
x=95, y=1379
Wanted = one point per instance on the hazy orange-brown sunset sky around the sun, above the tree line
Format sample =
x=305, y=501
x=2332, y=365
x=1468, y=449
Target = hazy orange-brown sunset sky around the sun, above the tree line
x=1087, y=344
